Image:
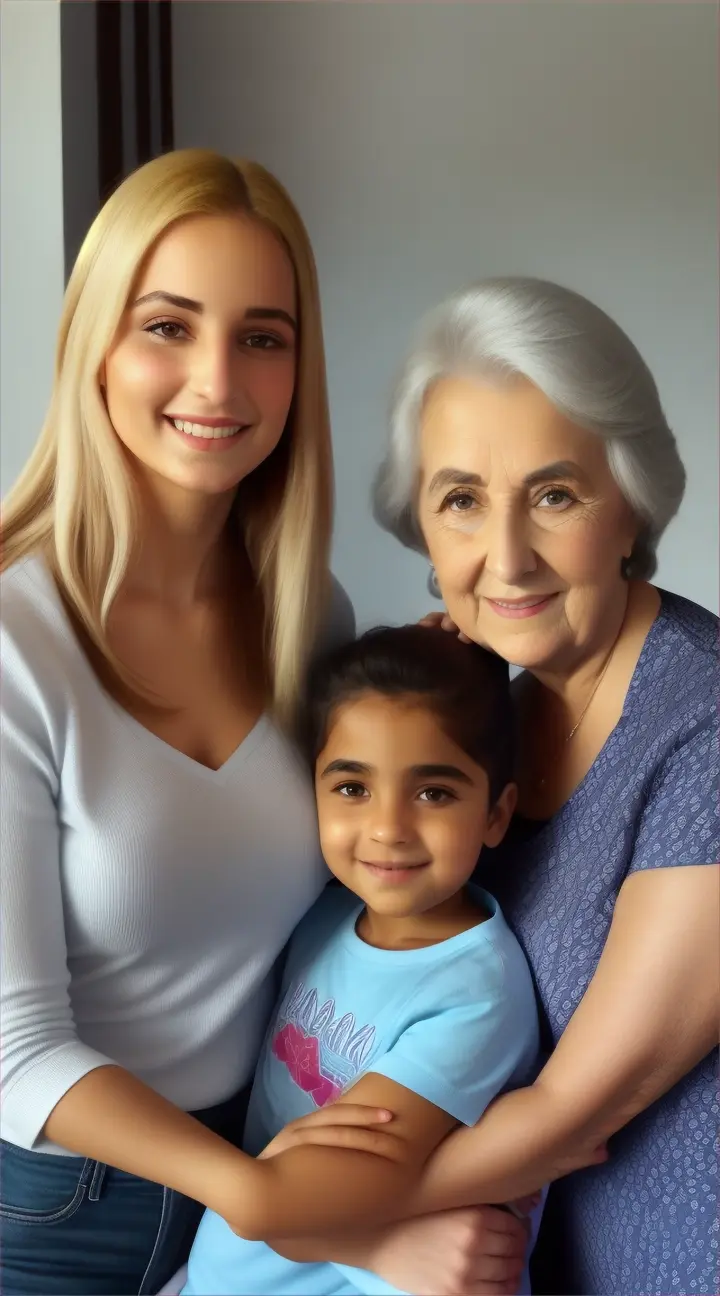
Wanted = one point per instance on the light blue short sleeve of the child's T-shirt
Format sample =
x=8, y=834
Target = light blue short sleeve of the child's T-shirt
x=460, y=1059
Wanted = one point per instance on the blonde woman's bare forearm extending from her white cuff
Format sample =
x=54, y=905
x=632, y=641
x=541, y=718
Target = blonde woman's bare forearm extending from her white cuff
x=113, y=1118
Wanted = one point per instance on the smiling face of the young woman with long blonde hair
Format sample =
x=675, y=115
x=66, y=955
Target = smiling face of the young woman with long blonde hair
x=200, y=379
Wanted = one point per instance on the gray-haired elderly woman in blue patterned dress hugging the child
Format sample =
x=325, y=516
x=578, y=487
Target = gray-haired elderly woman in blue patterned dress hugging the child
x=532, y=459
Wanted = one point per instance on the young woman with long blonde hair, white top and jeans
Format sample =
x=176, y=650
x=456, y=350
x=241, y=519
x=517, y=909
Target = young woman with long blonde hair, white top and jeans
x=165, y=584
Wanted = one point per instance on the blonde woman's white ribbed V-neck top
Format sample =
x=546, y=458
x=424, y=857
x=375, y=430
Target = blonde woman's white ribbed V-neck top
x=144, y=897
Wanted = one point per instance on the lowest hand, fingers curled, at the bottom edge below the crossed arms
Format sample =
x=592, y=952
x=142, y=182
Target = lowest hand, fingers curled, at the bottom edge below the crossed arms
x=480, y=1251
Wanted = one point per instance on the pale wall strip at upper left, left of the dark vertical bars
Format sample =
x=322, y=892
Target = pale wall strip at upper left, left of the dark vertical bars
x=32, y=247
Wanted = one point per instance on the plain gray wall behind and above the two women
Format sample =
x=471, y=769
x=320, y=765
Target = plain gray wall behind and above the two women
x=432, y=145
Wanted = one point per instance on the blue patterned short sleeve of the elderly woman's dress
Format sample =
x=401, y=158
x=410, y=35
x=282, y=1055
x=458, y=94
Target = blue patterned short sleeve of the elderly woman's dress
x=681, y=824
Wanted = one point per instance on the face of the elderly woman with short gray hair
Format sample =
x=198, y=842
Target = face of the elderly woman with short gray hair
x=524, y=522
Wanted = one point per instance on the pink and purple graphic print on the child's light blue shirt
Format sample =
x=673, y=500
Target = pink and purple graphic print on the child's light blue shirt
x=323, y=1056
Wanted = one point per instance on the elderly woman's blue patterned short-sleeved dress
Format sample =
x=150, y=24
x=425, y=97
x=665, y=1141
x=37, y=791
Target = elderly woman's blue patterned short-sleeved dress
x=646, y=1223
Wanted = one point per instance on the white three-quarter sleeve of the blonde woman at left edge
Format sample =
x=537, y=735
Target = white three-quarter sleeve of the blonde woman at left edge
x=42, y=1057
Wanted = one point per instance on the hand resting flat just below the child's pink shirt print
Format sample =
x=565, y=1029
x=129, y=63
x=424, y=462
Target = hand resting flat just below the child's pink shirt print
x=348, y=1126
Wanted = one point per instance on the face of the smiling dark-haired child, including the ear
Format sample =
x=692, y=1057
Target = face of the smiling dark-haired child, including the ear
x=403, y=811
